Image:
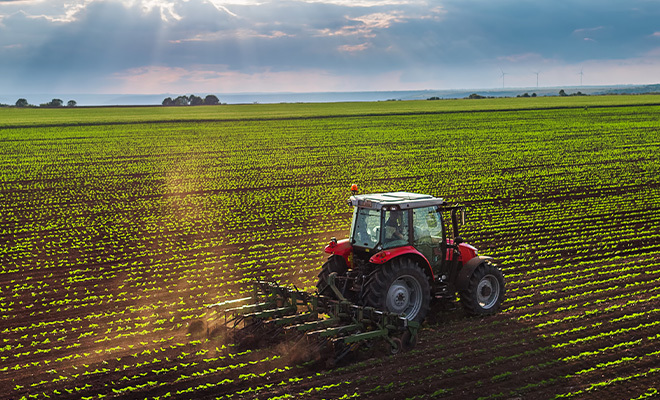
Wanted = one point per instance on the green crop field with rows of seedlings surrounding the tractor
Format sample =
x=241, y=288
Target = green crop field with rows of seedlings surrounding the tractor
x=119, y=226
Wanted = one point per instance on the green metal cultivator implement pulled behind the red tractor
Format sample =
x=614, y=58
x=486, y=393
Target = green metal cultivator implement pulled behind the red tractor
x=326, y=327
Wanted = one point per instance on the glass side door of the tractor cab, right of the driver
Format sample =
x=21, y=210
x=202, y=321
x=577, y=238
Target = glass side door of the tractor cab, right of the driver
x=428, y=236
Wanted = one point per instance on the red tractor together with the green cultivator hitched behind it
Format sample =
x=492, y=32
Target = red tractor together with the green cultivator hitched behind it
x=403, y=251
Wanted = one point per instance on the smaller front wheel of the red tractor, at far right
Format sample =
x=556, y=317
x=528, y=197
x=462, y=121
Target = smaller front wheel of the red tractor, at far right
x=485, y=292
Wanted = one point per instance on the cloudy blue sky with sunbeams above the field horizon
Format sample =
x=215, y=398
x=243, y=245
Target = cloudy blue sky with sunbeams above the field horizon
x=236, y=46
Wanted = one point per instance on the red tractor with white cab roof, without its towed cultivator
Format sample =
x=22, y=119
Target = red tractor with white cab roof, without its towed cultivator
x=401, y=253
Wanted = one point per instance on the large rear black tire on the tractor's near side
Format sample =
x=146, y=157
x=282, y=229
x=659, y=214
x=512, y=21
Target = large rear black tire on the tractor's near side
x=400, y=286
